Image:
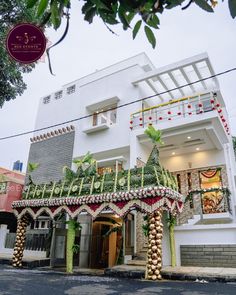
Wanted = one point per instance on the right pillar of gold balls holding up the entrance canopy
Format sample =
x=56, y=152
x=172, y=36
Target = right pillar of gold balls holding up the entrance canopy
x=154, y=254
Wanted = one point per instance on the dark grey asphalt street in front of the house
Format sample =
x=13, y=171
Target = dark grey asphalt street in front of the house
x=35, y=282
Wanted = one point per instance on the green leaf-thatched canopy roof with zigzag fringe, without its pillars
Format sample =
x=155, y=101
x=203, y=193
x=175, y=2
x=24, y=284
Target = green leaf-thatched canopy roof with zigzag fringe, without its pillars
x=148, y=189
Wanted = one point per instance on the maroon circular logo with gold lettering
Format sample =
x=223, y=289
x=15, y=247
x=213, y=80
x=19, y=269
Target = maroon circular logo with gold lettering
x=26, y=43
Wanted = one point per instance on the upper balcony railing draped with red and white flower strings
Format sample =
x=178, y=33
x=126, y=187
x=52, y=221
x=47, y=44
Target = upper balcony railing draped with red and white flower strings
x=178, y=109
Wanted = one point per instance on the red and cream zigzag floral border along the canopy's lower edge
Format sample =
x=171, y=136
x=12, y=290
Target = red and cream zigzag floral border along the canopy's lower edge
x=147, y=200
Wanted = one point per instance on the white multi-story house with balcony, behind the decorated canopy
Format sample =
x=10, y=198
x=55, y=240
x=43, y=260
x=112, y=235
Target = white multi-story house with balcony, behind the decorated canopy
x=107, y=113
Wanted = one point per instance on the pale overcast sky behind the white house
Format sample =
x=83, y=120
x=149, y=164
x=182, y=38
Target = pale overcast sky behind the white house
x=88, y=48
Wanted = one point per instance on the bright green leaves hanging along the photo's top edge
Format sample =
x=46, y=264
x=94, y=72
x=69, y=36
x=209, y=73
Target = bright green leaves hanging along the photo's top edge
x=121, y=12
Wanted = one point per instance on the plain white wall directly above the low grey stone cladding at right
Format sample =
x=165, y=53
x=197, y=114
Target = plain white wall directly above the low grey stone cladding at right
x=212, y=234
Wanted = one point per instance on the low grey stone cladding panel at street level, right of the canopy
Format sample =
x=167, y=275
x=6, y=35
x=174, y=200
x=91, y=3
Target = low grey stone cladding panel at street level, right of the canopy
x=208, y=255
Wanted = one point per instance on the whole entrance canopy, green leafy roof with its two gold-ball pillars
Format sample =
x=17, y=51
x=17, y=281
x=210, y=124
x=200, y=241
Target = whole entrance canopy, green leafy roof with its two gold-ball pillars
x=149, y=189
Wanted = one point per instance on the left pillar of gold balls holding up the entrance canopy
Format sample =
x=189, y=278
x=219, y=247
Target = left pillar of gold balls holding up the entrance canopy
x=20, y=241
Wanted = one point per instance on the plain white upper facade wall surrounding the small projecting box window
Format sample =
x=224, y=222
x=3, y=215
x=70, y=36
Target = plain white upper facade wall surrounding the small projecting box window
x=115, y=80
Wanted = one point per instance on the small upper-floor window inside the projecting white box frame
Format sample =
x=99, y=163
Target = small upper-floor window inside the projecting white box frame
x=105, y=116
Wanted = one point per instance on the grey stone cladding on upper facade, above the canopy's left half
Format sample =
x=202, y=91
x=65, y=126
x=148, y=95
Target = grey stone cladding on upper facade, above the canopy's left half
x=52, y=154
